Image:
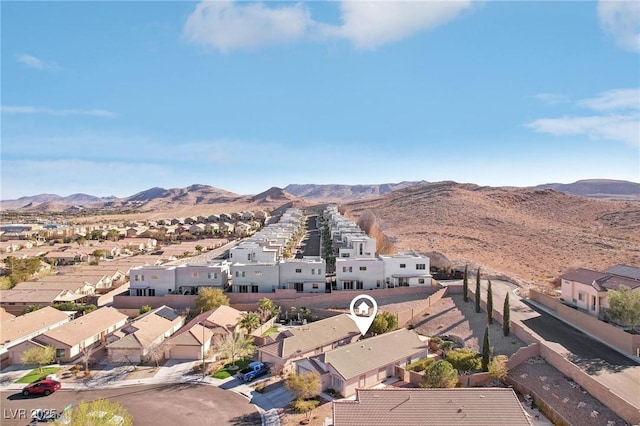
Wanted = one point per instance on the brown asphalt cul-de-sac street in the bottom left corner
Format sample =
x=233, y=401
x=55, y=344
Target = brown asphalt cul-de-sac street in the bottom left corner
x=161, y=404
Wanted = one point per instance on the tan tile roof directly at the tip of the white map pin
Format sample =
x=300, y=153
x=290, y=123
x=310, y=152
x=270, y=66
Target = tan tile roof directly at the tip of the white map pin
x=314, y=335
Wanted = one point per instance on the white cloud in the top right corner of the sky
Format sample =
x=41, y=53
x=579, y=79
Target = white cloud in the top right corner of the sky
x=622, y=20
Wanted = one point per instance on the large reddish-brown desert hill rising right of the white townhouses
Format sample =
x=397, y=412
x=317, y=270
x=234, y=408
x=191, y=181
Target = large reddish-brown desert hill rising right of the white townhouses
x=529, y=234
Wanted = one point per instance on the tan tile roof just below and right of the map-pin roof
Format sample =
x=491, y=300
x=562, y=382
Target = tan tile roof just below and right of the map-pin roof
x=375, y=352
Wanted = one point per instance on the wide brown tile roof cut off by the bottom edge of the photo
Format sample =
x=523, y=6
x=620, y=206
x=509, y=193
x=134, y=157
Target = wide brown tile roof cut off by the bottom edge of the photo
x=418, y=407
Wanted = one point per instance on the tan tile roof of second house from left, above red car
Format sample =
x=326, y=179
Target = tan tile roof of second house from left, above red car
x=86, y=326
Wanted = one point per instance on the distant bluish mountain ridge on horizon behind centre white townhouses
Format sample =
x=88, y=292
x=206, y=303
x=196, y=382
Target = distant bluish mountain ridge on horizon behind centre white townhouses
x=335, y=193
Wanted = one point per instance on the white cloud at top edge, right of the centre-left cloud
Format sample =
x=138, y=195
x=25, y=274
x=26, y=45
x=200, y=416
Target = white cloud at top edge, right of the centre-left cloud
x=371, y=24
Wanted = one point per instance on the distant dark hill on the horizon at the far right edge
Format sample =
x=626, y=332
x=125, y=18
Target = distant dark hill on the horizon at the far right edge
x=599, y=188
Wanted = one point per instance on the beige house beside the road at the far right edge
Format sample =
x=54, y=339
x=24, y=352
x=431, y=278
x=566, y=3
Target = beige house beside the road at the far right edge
x=587, y=289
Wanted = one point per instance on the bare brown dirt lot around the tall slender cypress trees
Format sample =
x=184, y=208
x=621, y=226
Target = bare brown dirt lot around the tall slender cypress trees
x=453, y=317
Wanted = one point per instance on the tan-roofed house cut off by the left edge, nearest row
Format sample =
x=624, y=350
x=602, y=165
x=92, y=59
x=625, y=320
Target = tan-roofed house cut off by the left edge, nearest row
x=18, y=330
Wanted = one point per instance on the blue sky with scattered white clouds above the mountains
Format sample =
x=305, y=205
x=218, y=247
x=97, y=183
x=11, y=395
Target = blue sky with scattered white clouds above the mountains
x=111, y=98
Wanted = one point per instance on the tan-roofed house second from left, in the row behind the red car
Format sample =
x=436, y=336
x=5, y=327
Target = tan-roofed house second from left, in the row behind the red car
x=88, y=331
